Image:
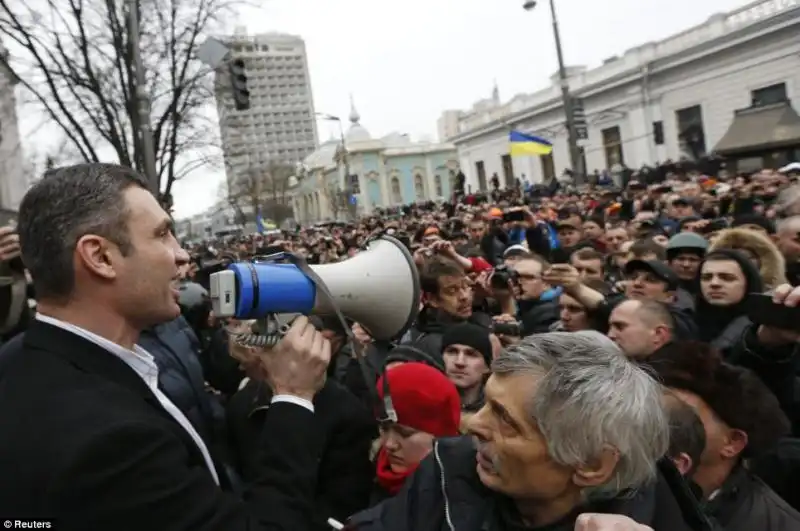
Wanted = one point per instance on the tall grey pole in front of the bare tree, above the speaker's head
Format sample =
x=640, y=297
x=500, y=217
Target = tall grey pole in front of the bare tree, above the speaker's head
x=144, y=130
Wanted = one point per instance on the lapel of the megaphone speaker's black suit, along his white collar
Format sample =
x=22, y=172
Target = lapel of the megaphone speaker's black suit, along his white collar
x=92, y=358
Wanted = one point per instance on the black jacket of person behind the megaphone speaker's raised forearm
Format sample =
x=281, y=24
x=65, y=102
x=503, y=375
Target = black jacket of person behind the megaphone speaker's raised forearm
x=345, y=470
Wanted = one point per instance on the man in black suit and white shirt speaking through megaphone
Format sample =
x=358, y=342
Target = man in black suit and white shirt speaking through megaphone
x=86, y=436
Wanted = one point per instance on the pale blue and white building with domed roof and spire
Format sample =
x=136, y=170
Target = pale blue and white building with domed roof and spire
x=370, y=173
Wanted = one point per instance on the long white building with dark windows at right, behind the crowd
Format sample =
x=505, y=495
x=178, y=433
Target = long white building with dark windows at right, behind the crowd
x=662, y=100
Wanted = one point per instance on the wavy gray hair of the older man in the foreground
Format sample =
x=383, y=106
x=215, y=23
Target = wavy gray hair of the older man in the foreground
x=590, y=398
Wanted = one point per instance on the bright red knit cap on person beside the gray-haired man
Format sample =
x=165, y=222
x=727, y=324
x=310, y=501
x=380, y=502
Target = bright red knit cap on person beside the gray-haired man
x=424, y=399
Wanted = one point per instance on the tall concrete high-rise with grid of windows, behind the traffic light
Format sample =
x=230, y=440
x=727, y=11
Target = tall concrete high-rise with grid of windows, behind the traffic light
x=280, y=126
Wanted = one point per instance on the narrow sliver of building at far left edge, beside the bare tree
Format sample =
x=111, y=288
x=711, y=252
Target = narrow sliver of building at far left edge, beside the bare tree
x=13, y=179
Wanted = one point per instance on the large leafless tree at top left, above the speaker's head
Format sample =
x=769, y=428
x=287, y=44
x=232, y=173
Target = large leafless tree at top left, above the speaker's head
x=74, y=60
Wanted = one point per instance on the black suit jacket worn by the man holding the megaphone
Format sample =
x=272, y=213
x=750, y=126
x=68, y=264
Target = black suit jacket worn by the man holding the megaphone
x=84, y=440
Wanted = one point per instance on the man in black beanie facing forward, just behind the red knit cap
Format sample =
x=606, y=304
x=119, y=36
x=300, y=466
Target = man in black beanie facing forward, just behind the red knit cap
x=467, y=354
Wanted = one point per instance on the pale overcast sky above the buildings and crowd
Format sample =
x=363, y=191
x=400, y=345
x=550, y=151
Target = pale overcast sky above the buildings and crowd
x=406, y=61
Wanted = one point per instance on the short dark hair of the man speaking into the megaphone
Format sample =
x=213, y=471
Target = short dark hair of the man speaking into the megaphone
x=64, y=206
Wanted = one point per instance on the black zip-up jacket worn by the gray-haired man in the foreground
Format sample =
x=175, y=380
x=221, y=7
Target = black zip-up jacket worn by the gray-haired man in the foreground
x=446, y=494
